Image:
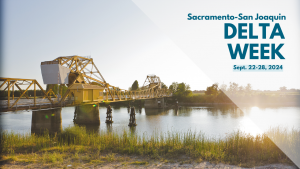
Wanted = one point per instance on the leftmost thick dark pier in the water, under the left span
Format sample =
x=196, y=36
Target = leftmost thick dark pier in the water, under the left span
x=46, y=120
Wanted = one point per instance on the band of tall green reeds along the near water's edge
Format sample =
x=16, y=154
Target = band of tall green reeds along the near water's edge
x=236, y=148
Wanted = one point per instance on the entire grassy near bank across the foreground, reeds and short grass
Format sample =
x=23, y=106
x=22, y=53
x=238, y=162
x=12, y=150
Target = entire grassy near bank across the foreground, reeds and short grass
x=74, y=145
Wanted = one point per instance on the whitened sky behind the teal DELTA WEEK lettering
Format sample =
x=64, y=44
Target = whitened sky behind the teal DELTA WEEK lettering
x=204, y=43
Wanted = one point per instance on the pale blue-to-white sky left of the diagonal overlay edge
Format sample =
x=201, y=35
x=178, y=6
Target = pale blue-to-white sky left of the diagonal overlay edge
x=124, y=43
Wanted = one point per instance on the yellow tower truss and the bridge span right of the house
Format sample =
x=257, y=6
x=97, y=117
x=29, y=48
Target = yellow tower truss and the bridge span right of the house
x=84, y=71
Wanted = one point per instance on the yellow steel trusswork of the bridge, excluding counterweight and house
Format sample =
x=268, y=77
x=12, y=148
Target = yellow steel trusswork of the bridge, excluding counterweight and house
x=82, y=71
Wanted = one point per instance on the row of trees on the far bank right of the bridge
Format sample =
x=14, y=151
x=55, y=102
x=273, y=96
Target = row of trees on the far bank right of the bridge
x=242, y=94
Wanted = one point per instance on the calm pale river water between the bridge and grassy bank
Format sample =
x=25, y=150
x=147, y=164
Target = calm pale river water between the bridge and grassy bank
x=215, y=121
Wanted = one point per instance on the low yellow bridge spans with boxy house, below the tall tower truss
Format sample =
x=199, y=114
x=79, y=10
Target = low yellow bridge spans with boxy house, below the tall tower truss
x=85, y=95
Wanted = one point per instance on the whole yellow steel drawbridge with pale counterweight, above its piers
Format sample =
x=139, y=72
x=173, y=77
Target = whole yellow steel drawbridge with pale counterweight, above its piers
x=85, y=83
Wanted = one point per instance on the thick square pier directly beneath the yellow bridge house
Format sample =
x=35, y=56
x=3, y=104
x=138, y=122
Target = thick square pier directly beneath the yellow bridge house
x=87, y=114
